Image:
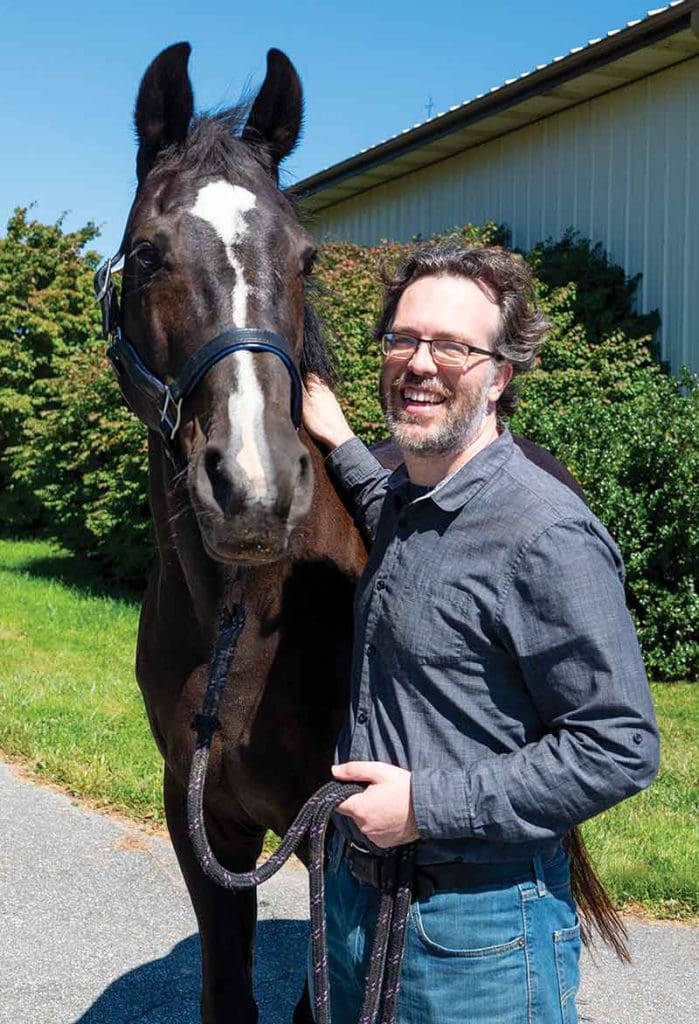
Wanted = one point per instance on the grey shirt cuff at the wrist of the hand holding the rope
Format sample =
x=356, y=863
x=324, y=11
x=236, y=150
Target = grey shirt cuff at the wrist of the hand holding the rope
x=441, y=803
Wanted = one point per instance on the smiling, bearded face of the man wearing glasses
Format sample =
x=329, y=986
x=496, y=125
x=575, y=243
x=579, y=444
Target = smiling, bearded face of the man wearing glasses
x=432, y=410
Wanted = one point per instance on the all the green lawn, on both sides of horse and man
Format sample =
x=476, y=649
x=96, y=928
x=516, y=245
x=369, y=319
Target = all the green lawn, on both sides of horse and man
x=71, y=711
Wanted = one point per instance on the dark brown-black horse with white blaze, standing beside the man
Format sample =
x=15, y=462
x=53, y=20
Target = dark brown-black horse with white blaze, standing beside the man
x=212, y=245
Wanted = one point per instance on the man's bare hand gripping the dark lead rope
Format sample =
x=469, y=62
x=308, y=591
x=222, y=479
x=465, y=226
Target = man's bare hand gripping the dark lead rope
x=384, y=812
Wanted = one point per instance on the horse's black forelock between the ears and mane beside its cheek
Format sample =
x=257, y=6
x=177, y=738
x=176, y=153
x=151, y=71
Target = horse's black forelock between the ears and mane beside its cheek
x=214, y=141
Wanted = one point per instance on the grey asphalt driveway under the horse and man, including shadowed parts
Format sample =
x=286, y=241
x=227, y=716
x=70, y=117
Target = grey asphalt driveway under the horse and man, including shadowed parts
x=97, y=928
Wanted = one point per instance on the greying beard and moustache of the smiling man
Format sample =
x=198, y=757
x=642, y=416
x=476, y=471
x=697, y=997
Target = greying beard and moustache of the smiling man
x=462, y=424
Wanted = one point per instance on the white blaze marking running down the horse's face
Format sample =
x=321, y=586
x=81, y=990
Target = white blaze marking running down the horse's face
x=225, y=207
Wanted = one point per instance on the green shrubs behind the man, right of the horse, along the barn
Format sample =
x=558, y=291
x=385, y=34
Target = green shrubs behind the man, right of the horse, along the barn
x=598, y=401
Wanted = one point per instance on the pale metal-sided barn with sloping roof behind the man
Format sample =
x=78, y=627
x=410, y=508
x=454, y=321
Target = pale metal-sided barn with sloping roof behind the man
x=605, y=140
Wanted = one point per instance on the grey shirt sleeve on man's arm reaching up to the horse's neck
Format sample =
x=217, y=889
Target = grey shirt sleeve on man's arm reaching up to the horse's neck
x=362, y=481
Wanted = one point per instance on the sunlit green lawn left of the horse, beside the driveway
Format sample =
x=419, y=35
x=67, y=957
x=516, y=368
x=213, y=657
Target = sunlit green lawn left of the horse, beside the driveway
x=70, y=707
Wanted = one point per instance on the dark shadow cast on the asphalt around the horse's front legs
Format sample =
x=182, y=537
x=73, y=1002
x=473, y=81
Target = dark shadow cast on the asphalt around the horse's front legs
x=166, y=991
